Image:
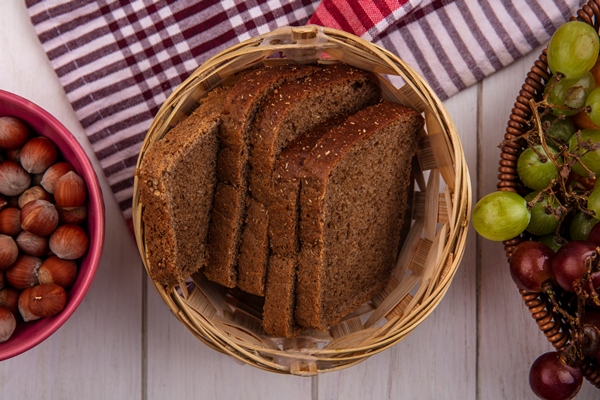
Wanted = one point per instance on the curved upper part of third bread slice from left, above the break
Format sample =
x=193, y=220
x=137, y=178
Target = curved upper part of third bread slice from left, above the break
x=295, y=108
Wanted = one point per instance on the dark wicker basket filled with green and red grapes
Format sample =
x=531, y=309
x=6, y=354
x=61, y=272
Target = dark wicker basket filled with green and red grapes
x=547, y=206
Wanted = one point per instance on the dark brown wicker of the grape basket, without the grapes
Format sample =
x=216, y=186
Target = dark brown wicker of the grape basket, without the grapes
x=550, y=323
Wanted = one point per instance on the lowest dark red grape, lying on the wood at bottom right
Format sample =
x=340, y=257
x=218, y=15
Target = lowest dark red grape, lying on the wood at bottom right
x=551, y=378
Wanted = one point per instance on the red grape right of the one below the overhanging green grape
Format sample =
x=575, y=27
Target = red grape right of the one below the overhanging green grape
x=571, y=263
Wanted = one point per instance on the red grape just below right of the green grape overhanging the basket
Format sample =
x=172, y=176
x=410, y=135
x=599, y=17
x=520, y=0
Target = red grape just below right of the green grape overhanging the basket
x=530, y=265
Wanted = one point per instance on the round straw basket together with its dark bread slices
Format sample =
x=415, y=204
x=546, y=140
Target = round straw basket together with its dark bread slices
x=301, y=201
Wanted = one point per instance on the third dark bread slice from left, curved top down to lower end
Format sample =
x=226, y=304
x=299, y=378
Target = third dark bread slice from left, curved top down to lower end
x=294, y=108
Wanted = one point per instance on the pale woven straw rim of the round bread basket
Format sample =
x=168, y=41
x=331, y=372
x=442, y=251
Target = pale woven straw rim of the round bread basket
x=302, y=44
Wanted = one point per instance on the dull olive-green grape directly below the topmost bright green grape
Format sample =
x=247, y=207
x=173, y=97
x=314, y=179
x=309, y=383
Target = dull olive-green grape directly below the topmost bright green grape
x=568, y=96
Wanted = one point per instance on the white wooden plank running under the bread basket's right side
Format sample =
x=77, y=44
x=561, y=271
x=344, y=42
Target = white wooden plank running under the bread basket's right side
x=437, y=359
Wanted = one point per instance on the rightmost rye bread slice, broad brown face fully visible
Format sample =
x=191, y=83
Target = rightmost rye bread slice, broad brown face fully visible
x=352, y=201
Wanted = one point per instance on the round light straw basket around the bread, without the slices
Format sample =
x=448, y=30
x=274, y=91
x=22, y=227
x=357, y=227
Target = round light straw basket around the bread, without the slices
x=229, y=321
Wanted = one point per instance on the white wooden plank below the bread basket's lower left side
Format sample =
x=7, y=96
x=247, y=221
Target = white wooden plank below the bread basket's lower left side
x=179, y=365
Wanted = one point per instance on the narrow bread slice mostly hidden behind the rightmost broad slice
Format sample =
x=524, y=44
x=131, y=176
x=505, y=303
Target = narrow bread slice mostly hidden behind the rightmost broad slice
x=280, y=288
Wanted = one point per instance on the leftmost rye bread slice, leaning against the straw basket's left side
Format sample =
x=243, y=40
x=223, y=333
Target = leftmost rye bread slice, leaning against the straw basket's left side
x=177, y=183
